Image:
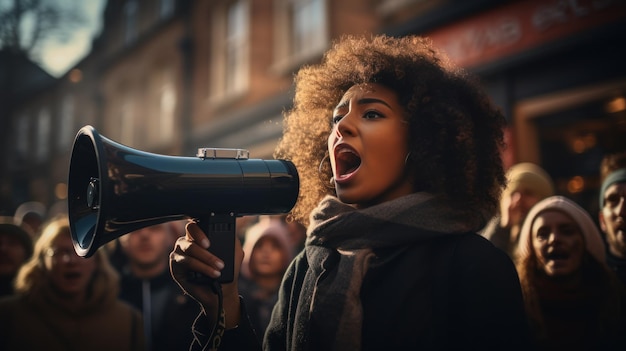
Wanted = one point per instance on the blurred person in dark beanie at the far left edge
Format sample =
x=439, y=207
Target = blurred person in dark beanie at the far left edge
x=16, y=246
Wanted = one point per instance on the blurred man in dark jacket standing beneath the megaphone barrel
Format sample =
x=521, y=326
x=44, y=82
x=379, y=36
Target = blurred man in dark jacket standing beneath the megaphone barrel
x=147, y=285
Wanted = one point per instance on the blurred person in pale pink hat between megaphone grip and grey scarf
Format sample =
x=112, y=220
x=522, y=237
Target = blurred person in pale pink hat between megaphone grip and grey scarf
x=267, y=253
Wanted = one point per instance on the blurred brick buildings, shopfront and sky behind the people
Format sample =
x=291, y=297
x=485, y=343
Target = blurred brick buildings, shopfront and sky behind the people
x=170, y=76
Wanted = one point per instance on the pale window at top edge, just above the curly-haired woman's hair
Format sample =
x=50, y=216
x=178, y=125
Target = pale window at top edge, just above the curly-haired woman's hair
x=301, y=31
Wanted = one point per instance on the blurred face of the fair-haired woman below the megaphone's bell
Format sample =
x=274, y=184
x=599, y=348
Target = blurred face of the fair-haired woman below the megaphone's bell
x=69, y=273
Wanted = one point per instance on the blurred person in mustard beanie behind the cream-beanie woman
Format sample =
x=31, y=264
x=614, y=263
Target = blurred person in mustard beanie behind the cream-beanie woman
x=527, y=184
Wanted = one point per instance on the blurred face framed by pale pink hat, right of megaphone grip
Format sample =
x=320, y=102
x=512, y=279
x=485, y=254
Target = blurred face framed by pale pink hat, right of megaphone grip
x=268, y=257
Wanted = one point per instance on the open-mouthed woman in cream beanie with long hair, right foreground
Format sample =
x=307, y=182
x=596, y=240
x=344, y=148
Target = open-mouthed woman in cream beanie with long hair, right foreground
x=573, y=300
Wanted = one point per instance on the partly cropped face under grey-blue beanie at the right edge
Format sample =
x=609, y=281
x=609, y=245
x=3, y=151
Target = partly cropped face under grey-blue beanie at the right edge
x=612, y=218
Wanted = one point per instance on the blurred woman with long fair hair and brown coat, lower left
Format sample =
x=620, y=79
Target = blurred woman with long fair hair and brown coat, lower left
x=65, y=302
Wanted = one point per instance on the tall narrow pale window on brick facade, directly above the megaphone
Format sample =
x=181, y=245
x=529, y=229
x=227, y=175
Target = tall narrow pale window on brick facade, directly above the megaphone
x=230, y=69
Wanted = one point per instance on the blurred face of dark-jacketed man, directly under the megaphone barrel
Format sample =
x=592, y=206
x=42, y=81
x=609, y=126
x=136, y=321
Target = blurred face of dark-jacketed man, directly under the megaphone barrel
x=148, y=248
